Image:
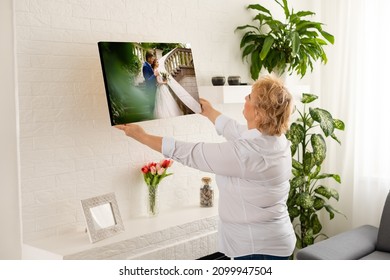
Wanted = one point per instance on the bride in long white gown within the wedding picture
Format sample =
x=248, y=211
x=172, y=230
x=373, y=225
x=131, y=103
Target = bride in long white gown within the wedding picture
x=165, y=104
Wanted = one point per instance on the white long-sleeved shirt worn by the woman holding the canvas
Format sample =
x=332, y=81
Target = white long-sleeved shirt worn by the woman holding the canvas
x=252, y=174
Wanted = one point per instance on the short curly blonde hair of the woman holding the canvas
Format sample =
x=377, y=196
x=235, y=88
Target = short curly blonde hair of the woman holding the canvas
x=273, y=105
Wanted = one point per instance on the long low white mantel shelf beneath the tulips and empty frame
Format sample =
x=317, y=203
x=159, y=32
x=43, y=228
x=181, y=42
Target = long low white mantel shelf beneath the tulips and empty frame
x=186, y=233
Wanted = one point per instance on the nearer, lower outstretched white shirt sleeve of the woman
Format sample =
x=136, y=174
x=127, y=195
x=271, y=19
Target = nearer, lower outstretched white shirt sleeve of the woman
x=218, y=158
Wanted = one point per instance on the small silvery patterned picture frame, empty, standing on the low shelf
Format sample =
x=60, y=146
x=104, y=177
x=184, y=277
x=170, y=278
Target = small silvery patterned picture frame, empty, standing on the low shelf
x=102, y=217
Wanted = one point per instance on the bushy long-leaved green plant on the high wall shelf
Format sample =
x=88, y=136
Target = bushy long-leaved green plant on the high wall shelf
x=292, y=45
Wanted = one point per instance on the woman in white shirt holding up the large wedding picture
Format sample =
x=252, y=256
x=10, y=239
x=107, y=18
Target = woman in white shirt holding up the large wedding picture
x=252, y=170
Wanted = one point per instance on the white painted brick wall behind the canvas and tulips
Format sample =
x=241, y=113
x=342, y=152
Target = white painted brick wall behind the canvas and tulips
x=68, y=149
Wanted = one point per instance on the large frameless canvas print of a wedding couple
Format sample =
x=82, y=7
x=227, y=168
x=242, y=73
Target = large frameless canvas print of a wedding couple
x=147, y=80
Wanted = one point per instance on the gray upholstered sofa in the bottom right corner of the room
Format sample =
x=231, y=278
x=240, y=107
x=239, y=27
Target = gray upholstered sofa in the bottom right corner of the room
x=366, y=242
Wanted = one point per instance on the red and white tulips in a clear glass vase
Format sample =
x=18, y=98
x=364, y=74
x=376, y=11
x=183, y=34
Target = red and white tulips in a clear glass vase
x=153, y=173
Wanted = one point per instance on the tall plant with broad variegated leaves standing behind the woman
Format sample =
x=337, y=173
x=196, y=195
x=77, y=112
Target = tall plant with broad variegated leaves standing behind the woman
x=308, y=148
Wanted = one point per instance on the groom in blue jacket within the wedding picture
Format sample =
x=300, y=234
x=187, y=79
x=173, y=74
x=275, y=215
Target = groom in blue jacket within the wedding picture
x=150, y=79
